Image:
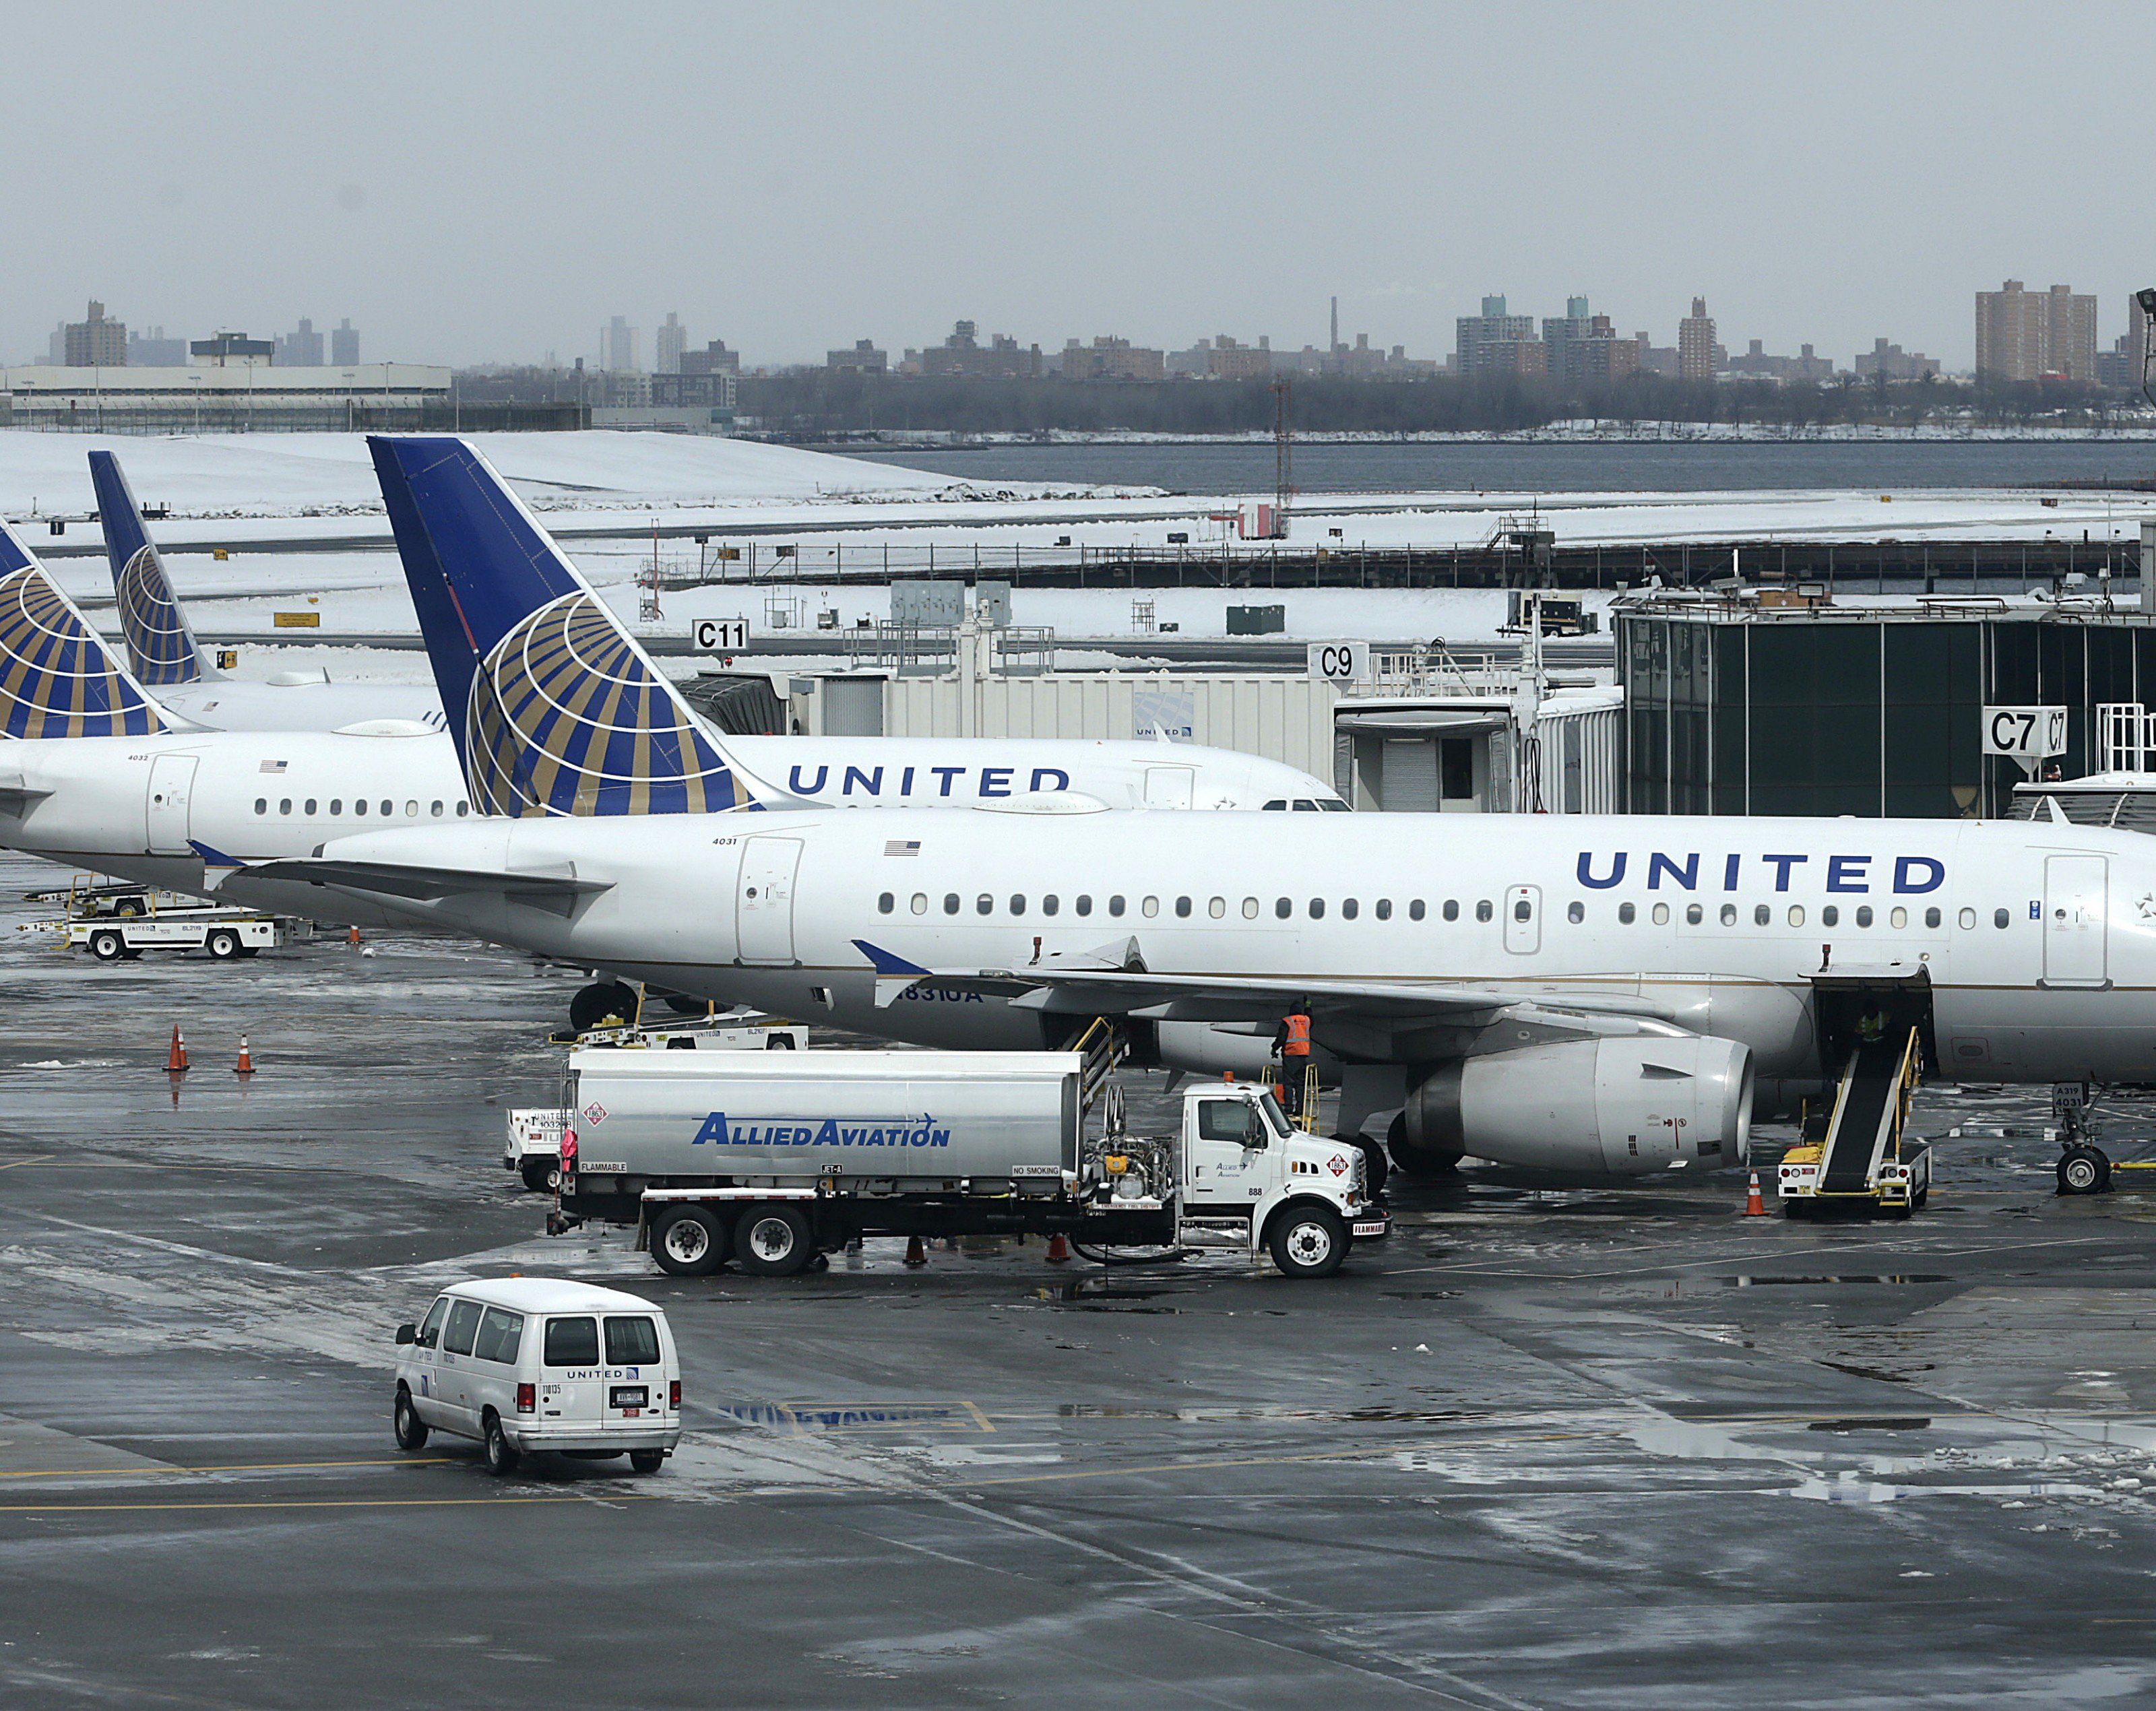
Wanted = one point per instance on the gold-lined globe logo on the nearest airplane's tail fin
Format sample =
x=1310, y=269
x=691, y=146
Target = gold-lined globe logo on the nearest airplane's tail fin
x=566, y=719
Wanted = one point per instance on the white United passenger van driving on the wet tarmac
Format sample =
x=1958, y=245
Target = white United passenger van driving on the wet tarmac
x=542, y=1365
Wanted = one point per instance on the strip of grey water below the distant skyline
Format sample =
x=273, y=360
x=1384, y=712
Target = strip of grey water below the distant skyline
x=1553, y=469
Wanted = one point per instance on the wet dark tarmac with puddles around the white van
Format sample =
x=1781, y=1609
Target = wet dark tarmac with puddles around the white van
x=1549, y=1449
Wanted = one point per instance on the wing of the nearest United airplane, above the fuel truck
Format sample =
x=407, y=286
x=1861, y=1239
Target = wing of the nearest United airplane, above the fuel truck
x=1118, y=984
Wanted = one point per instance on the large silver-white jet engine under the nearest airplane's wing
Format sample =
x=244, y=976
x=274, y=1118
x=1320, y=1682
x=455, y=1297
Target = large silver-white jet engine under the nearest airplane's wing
x=1605, y=1107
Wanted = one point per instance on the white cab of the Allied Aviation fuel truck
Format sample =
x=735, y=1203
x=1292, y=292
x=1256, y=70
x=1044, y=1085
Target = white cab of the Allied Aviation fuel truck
x=1301, y=1197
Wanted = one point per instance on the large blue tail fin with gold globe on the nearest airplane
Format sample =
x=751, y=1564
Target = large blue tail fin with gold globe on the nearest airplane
x=553, y=704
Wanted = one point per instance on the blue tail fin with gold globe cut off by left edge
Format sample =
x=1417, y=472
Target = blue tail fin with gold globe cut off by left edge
x=57, y=676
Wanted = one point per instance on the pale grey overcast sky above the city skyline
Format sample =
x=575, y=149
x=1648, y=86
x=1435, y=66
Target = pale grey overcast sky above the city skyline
x=493, y=182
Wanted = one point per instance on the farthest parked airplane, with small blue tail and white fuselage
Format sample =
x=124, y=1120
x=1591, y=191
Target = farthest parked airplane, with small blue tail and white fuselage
x=167, y=658
